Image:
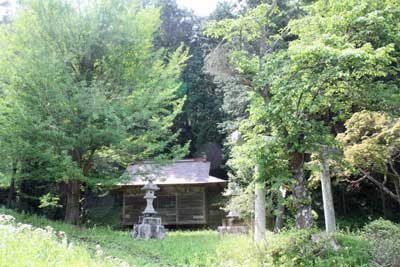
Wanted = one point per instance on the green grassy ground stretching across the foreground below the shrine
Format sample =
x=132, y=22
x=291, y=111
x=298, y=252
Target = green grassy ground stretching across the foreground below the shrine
x=181, y=248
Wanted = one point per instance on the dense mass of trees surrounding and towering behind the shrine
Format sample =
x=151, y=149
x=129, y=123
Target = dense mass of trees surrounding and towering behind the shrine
x=297, y=103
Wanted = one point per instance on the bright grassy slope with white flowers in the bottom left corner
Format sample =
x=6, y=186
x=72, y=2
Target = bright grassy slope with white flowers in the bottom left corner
x=22, y=245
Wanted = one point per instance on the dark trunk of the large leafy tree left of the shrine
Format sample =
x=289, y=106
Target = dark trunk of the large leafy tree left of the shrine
x=73, y=195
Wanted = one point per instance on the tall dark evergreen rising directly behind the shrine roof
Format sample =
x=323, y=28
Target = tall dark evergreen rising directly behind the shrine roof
x=202, y=110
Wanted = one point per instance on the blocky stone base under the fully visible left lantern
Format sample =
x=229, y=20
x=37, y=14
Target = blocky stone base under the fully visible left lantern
x=149, y=228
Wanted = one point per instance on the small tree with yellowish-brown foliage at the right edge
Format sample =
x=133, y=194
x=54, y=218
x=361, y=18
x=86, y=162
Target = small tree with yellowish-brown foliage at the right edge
x=371, y=145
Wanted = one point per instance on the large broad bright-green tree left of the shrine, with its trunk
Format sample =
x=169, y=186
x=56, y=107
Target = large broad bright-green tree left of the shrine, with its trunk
x=89, y=86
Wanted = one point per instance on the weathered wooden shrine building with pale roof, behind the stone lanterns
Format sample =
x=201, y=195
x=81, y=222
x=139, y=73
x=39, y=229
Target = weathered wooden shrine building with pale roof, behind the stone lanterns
x=188, y=195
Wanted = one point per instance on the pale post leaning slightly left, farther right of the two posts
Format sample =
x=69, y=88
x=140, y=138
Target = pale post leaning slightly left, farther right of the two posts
x=329, y=208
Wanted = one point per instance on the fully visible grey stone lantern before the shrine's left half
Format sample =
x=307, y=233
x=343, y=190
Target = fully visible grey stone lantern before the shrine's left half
x=149, y=226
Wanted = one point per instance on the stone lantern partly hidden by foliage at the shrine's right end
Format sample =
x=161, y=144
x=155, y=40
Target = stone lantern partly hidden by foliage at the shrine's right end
x=235, y=225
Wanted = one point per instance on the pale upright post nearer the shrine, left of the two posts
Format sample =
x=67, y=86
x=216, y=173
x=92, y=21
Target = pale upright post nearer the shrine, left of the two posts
x=259, y=213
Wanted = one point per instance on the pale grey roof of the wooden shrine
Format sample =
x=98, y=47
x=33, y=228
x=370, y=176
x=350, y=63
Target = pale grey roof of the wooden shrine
x=188, y=171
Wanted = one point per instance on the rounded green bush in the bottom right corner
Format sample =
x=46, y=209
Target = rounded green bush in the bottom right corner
x=383, y=238
